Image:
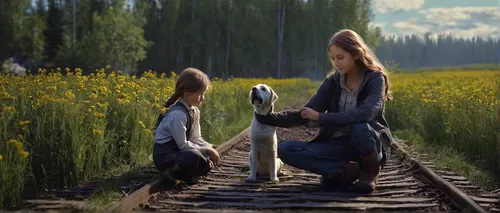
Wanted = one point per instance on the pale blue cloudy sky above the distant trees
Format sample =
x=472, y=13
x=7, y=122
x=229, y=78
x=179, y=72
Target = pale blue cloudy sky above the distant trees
x=460, y=18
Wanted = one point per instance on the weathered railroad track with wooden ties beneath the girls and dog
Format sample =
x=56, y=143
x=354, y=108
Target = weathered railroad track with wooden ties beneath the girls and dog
x=405, y=184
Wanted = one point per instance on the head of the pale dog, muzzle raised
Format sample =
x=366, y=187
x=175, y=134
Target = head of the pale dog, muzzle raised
x=262, y=97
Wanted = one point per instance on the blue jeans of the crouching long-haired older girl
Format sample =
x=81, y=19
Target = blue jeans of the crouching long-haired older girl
x=326, y=157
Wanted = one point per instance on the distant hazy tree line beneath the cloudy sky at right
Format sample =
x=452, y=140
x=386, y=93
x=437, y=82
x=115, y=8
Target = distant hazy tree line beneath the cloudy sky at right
x=412, y=51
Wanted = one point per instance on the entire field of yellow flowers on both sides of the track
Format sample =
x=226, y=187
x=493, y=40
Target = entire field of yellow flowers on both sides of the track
x=60, y=128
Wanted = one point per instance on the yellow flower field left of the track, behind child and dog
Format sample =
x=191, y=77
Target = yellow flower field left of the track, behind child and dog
x=60, y=128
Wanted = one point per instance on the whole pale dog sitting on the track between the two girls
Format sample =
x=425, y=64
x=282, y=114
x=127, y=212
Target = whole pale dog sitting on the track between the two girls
x=263, y=157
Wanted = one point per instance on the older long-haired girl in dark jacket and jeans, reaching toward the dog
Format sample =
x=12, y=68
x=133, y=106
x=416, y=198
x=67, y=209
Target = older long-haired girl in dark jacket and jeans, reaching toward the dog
x=349, y=108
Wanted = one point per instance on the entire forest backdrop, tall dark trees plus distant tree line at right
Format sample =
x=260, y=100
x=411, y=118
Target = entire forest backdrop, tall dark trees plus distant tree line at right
x=251, y=38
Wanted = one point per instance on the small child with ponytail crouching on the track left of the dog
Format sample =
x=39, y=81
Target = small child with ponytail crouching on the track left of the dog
x=179, y=150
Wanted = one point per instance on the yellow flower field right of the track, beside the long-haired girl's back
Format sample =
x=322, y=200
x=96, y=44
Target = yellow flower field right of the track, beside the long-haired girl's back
x=455, y=109
